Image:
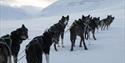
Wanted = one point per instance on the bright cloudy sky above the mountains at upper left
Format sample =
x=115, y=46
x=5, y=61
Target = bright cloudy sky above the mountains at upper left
x=36, y=3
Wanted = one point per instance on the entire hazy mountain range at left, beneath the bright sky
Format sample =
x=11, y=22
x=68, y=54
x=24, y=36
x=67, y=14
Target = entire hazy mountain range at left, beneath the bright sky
x=8, y=12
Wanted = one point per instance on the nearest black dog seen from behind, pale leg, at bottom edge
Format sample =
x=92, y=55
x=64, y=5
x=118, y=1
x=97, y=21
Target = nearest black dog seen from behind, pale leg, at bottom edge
x=39, y=45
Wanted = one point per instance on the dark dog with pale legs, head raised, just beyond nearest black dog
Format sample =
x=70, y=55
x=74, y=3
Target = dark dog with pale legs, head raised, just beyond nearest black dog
x=59, y=28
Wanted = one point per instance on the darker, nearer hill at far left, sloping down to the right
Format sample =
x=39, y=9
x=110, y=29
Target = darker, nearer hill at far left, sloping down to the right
x=8, y=12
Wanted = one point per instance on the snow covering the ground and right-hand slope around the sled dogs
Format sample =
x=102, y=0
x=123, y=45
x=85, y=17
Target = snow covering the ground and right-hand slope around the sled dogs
x=108, y=48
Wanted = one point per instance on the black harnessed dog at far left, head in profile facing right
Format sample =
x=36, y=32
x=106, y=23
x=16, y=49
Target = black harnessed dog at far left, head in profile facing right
x=14, y=40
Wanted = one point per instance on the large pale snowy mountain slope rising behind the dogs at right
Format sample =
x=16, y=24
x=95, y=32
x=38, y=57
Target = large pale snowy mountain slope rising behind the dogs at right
x=62, y=7
